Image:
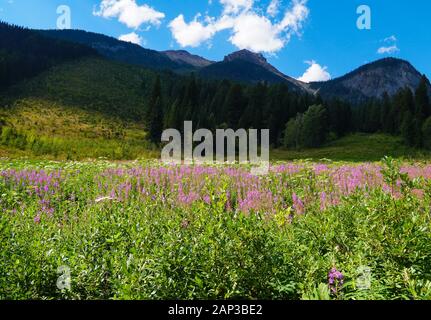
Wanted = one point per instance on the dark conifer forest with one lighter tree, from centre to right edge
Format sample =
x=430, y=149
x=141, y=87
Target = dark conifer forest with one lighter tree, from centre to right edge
x=295, y=120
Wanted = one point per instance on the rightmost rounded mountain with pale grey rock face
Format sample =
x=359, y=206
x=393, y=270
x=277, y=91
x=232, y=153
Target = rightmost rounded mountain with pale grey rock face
x=371, y=81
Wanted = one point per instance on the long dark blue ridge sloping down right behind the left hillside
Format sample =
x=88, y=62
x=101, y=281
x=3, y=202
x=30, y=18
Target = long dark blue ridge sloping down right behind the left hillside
x=115, y=49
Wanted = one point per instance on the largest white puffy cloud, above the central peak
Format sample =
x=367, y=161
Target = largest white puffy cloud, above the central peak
x=250, y=30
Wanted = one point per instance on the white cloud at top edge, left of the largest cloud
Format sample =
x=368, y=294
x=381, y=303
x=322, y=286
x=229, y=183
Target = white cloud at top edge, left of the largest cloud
x=129, y=13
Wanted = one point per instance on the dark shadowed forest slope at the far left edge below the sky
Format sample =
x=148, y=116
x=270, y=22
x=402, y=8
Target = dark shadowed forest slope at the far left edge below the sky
x=25, y=53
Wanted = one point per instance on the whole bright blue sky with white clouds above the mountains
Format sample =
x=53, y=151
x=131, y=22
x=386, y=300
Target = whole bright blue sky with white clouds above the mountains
x=295, y=35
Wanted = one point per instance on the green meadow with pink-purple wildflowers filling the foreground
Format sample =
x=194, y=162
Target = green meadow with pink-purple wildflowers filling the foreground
x=143, y=230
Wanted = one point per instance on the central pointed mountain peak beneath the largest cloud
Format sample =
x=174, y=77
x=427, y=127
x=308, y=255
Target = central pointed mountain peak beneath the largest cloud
x=249, y=67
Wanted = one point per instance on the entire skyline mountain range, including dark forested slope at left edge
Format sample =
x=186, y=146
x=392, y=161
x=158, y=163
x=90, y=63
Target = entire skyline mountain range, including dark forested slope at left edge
x=27, y=52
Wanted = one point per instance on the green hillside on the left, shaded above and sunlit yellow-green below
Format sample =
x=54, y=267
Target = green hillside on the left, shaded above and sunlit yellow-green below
x=87, y=108
